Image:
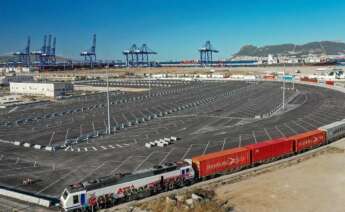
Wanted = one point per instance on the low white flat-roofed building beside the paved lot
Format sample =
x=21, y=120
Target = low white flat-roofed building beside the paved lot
x=40, y=89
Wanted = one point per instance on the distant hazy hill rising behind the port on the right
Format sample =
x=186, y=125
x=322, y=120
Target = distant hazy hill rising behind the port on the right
x=323, y=47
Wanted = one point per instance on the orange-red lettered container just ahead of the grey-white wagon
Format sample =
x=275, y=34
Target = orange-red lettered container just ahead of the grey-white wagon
x=308, y=140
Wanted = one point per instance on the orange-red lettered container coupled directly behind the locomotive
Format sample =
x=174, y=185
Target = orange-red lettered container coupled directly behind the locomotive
x=217, y=162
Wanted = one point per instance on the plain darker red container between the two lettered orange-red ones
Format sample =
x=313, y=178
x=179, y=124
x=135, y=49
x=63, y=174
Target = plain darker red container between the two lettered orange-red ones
x=268, y=150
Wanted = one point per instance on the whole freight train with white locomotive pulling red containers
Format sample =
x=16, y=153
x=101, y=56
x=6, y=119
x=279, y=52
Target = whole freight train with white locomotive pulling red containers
x=109, y=191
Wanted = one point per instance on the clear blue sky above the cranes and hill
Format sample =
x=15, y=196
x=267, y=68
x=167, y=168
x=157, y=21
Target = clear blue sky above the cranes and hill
x=175, y=28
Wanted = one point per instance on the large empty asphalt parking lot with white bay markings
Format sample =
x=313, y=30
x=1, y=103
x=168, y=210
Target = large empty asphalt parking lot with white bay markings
x=205, y=116
